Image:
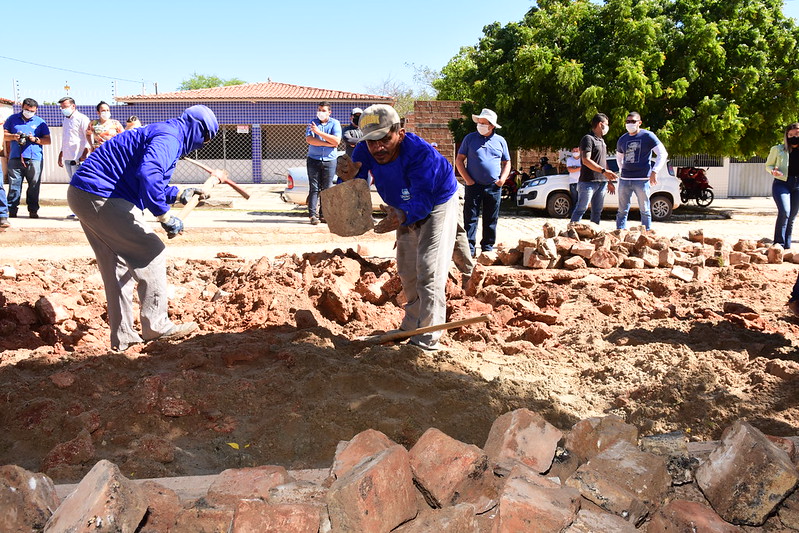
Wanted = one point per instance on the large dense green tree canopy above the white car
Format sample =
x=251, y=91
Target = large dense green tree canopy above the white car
x=719, y=77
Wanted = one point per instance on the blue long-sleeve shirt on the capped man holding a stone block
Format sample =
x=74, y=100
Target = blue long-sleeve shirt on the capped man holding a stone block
x=416, y=181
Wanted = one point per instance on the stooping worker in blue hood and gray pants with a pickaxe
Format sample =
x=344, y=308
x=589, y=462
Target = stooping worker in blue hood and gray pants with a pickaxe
x=109, y=193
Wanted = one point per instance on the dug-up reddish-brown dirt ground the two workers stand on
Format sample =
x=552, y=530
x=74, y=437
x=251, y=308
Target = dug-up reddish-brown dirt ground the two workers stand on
x=277, y=375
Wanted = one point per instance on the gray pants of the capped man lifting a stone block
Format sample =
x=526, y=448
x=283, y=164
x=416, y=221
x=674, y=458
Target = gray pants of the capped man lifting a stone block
x=424, y=253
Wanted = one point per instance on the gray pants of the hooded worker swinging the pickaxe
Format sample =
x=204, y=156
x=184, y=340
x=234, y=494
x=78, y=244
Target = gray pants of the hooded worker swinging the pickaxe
x=128, y=253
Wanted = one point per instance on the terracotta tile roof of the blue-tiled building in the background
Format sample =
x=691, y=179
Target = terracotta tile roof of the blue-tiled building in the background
x=269, y=90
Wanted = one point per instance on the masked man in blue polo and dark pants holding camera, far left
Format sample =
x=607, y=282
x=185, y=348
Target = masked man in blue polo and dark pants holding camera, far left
x=27, y=134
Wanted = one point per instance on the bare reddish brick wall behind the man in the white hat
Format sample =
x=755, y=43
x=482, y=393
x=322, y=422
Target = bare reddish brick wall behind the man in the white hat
x=430, y=120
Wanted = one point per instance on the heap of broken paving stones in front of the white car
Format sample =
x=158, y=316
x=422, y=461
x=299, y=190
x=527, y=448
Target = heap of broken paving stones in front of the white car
x=585, y=244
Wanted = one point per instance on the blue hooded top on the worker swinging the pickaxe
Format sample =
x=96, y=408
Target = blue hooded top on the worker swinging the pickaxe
x=136, y=165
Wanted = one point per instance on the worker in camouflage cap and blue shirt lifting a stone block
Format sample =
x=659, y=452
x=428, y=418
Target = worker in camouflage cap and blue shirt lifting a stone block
x=419, y=186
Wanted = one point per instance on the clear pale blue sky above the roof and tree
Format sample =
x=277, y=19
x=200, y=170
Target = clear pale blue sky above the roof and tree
x=348, y=46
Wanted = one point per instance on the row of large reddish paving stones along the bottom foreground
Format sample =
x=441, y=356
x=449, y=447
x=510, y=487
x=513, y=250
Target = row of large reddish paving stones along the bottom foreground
x=597, y=477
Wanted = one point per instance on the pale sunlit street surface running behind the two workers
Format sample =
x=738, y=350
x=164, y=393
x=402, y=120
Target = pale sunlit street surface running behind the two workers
x=266, y=226
